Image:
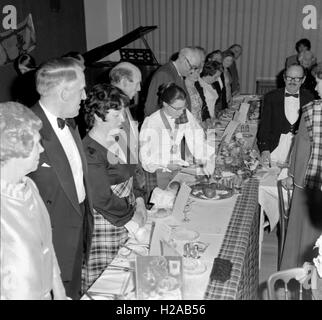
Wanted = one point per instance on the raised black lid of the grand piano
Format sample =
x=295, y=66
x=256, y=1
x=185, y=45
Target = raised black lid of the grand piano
x=104, y=50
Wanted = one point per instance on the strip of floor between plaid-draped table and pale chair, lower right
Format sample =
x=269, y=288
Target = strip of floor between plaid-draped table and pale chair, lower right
x=268, y=261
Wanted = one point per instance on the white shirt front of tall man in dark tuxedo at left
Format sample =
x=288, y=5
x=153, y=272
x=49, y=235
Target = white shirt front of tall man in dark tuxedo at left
x=69, y=145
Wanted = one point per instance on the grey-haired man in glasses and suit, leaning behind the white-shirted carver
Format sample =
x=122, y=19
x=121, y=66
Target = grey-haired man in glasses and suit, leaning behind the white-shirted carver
x=188, y=61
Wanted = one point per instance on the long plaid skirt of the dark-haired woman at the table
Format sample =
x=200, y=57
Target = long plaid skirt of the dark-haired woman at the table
x=106, y=241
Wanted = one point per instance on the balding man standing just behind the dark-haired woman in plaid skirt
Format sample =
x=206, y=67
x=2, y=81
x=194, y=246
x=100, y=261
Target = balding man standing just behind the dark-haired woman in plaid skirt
x=127, y=77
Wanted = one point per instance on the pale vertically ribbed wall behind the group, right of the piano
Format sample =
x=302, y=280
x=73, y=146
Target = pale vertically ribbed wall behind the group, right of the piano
x=267, y=30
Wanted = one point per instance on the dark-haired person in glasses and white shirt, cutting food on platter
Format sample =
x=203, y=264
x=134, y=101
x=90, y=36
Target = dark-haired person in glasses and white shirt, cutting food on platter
x=162, y=133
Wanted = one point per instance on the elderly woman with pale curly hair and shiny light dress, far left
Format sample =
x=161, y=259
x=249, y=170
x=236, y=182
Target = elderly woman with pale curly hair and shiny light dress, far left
x=28, y=268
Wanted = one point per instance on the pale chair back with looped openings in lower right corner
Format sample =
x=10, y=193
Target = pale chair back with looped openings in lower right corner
x=286, y=276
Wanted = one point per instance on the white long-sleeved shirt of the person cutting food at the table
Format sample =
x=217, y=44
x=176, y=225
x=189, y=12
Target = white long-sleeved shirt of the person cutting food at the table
x=156, y=142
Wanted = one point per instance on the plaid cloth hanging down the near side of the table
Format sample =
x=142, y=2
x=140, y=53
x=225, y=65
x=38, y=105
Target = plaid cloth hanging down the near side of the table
x=240, y=246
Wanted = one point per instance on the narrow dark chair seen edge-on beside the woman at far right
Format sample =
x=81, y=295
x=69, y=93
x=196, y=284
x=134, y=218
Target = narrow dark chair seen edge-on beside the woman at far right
x=283, y=220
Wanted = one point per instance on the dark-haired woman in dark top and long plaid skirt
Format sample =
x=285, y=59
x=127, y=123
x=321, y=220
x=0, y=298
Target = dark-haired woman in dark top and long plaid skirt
x=117, y=213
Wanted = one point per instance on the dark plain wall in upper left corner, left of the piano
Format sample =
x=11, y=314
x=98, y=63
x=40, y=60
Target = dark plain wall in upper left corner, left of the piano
x=56, y=32
